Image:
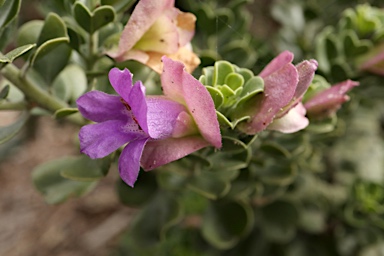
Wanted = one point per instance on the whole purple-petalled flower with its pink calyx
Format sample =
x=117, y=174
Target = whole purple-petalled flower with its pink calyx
x=158, y=129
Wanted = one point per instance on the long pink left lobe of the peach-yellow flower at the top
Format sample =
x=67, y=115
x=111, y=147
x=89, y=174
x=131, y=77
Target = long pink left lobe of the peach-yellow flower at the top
x=143, y=17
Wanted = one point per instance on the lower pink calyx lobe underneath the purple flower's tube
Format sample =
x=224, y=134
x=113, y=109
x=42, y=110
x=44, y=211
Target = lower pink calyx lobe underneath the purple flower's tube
x=158, y=153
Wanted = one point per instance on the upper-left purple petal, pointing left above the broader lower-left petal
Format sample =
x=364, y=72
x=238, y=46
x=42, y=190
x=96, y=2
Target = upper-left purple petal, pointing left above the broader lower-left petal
x=99, y=107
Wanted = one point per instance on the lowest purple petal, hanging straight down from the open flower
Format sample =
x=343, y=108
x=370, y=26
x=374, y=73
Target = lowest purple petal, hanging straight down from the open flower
x=129, y=161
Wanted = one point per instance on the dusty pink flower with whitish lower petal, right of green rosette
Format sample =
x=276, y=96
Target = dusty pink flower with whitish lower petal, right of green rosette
x=279, y=106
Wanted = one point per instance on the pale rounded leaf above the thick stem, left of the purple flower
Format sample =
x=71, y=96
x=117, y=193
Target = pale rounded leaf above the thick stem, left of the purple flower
x=70, y=84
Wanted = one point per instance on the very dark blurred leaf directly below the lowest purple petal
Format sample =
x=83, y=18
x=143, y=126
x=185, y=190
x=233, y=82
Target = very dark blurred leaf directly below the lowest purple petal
x=145, y=188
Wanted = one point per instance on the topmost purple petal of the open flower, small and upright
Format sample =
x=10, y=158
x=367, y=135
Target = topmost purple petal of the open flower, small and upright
x=121, y=81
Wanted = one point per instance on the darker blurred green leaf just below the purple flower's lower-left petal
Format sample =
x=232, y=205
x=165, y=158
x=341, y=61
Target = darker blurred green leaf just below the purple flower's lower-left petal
x=83, y=168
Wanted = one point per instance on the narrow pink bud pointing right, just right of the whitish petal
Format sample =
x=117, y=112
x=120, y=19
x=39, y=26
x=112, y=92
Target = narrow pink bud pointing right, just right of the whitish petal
x=328, y=101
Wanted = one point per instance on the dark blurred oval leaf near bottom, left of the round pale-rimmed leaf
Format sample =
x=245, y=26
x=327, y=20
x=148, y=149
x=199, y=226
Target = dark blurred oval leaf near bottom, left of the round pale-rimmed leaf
x=150, y=226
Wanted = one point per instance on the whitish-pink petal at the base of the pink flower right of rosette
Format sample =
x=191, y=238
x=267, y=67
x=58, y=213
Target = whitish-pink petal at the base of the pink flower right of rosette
x=293, y=121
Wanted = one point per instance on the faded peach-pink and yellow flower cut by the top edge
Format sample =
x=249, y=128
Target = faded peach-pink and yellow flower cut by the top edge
x=157, y=28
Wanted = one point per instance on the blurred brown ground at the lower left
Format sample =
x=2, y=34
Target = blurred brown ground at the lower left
x=28, y=226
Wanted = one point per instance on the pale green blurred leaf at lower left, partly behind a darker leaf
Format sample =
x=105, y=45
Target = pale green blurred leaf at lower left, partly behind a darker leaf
x=53, y=186
